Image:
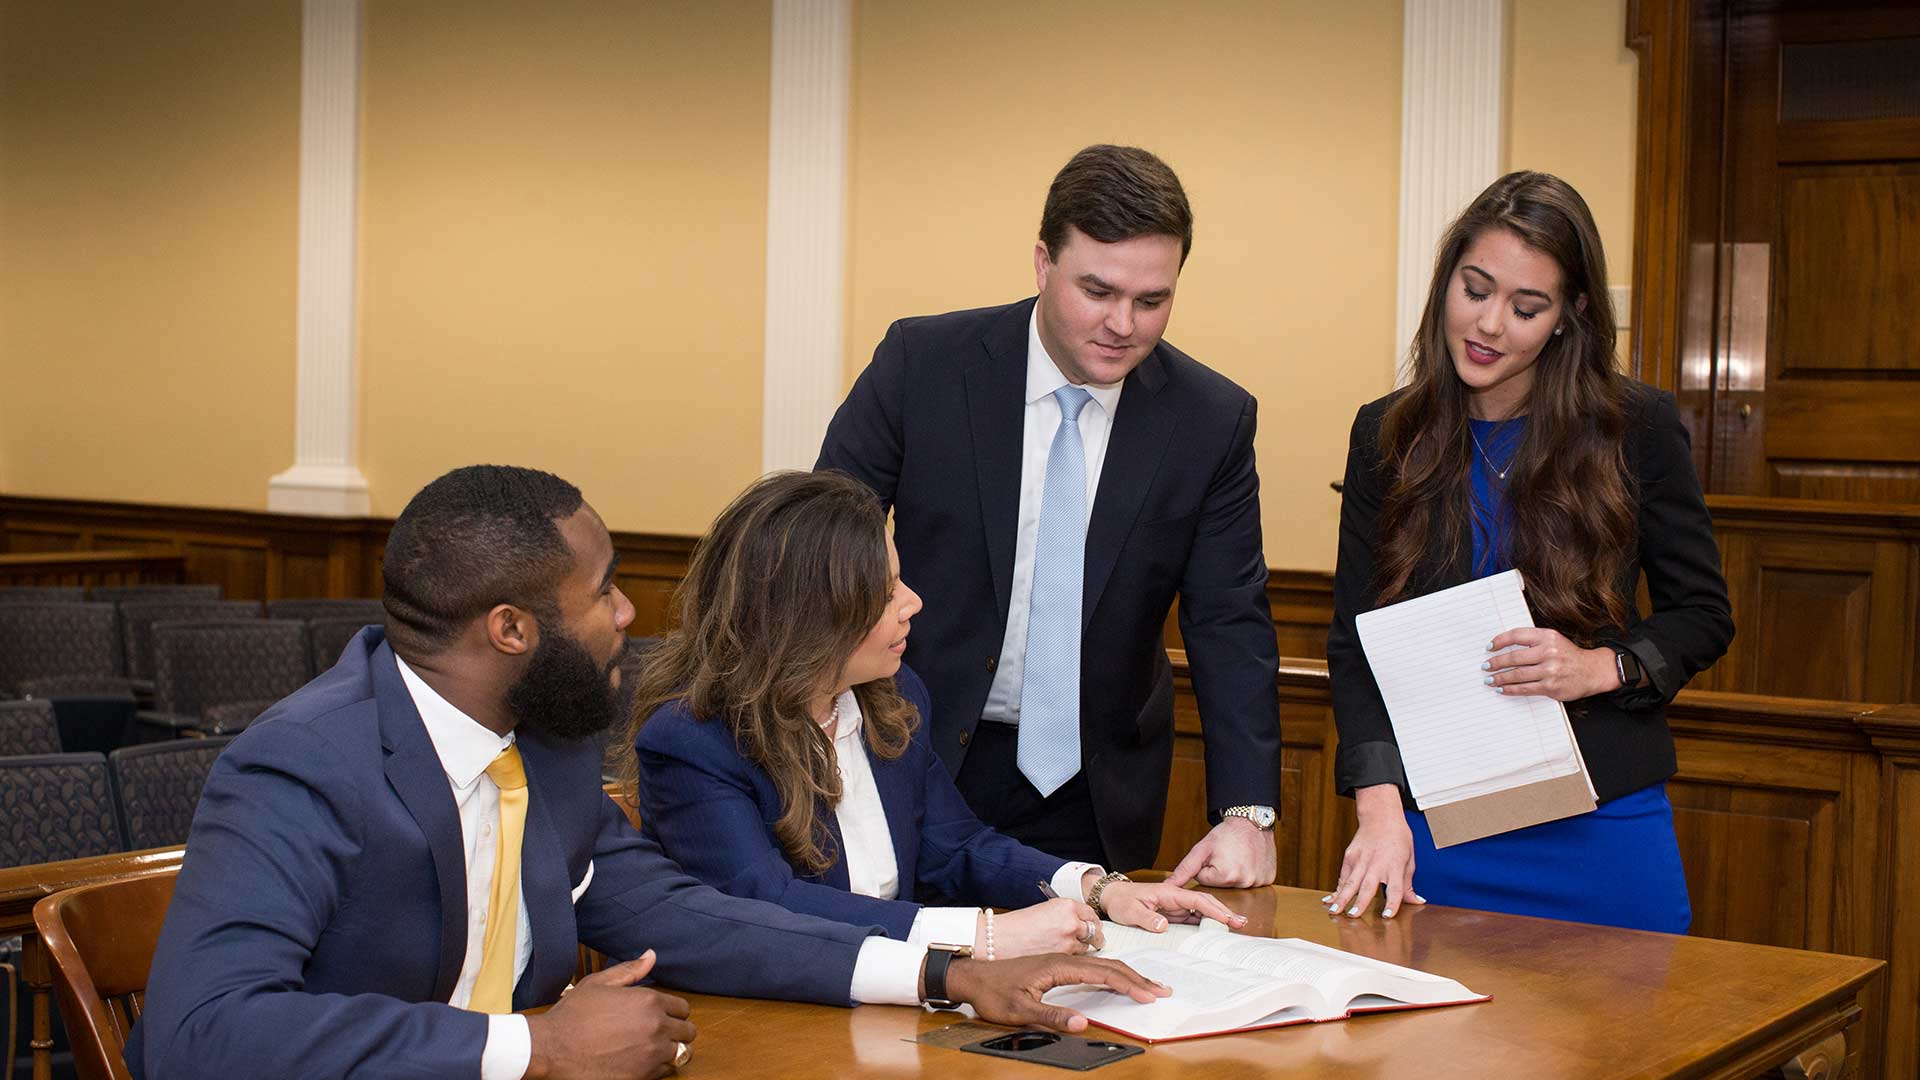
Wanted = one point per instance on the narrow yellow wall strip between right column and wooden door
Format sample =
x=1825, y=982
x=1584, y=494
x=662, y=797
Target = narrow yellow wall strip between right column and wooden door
x=1573, y=110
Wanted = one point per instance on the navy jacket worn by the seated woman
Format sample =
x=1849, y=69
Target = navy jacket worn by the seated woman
x=713, y=812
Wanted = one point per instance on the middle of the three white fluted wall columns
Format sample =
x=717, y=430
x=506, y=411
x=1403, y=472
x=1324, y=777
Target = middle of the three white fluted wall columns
x=805, y=228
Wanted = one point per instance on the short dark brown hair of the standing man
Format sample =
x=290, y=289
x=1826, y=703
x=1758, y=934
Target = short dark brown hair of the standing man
x=1113, y=195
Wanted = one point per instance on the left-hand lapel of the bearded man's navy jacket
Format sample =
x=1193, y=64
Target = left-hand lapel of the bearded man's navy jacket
x=421, y=783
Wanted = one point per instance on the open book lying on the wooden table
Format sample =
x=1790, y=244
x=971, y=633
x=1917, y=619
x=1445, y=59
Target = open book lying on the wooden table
x=1234, y=983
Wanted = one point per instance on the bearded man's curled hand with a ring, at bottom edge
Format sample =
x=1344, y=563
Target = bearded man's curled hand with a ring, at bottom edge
x=610, y=1029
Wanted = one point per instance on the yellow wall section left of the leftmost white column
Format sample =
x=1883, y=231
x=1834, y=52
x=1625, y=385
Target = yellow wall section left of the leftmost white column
x=149, y=228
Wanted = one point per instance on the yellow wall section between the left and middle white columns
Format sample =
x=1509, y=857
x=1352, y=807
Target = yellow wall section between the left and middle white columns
x=564, y=249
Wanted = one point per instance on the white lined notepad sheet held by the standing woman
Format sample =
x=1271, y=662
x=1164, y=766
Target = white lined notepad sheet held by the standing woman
x=1452, y=729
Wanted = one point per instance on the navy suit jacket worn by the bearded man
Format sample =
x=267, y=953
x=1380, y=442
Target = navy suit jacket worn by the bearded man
x=320, y=921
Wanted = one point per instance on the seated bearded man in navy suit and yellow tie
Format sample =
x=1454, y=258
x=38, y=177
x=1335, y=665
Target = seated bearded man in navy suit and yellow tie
x=404, y=854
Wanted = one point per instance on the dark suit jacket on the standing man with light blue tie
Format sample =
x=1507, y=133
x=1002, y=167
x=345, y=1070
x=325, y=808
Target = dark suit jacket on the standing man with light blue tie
x=934, y=426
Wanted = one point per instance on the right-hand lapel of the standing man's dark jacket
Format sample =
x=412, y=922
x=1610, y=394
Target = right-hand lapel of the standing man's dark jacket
x=1143, y=426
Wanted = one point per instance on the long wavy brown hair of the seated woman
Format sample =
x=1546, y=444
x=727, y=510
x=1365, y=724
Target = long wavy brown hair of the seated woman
x=780, y=591
